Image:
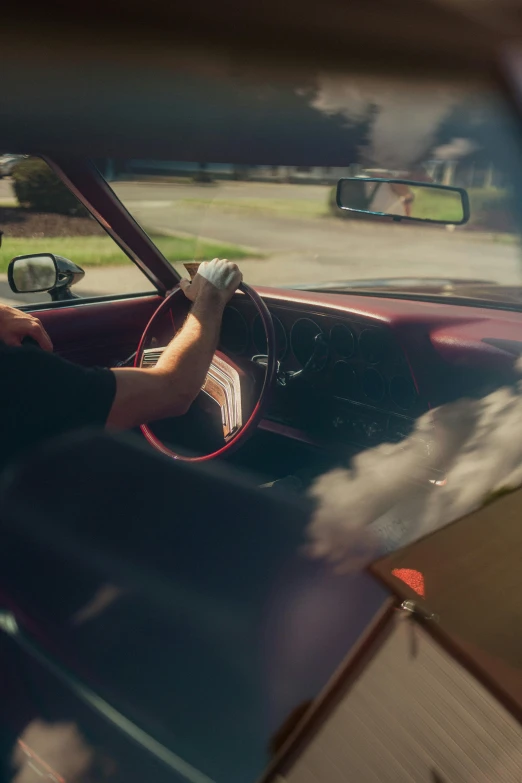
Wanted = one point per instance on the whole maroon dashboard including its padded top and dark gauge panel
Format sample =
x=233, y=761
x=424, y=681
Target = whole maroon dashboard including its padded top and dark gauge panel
x=387, y=361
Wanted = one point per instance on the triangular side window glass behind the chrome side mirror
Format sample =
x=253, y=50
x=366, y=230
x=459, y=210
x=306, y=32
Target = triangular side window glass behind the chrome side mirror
x=39, y=214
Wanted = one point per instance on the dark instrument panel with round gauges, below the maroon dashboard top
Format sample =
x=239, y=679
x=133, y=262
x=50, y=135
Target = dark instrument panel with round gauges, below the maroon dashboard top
x=361, y=390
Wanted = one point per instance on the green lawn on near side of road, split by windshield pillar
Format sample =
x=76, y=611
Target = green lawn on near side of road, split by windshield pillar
x=102, y=251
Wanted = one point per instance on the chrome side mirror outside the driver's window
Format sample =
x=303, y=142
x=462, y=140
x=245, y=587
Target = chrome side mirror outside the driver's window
x=41, y=272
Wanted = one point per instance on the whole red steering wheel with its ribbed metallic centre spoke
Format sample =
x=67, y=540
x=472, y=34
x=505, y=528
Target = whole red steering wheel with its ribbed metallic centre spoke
x=231, y=384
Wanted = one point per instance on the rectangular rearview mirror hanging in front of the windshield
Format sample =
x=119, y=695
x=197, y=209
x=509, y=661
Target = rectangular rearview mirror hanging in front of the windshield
x=403, y=199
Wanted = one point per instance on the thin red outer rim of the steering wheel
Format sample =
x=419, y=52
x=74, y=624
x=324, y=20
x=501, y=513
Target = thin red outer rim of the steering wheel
x=255, y=417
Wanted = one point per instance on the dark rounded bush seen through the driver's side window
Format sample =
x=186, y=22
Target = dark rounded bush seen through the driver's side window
x=37, y=187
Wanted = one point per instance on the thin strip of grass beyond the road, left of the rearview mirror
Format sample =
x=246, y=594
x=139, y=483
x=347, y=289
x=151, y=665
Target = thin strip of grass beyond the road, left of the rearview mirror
x=291, y=207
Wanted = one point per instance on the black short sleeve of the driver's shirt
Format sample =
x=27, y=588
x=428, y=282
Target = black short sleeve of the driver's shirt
x=43, y=395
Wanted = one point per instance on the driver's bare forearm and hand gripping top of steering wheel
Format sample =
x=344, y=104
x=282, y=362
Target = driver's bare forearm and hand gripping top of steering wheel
x=169, y=388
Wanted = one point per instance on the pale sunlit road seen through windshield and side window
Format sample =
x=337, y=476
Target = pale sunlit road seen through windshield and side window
x=299, y=249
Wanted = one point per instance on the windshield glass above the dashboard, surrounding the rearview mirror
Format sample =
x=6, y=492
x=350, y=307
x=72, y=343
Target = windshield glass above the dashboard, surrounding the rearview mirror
x=271, y=203
